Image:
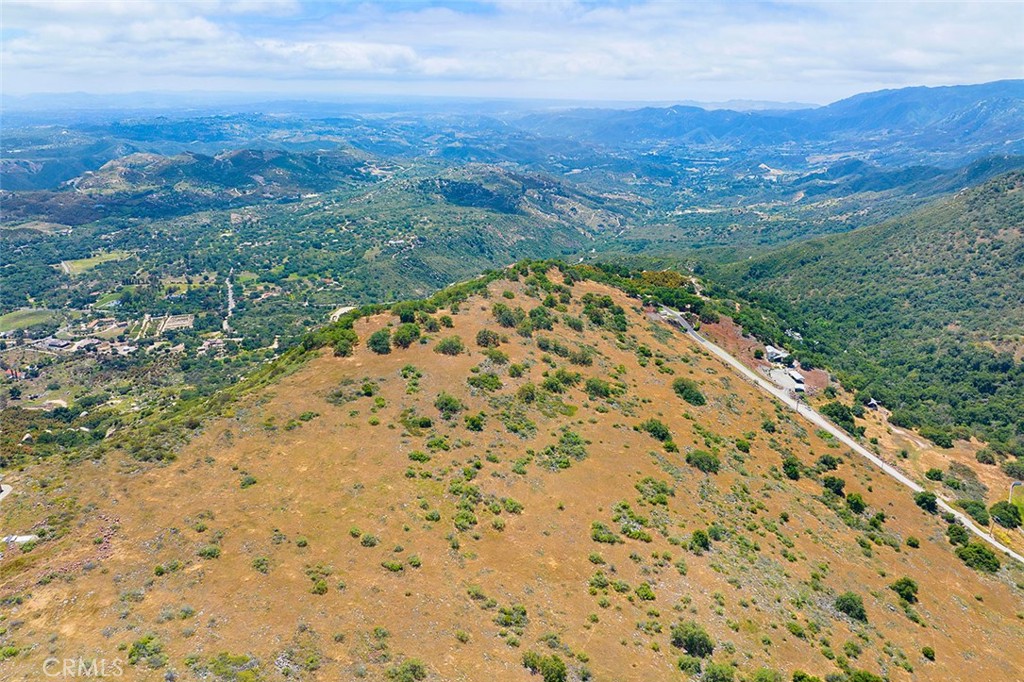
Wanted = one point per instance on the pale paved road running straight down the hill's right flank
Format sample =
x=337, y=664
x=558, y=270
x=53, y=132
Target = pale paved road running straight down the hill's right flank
x=819, y=420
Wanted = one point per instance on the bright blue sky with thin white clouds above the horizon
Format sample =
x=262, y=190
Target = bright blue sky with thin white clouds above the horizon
x=624, y=51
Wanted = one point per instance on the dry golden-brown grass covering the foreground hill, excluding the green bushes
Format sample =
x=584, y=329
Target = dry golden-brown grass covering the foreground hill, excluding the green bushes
x=338, y=473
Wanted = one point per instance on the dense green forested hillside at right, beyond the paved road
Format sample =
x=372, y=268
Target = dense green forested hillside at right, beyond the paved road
x=925, y=313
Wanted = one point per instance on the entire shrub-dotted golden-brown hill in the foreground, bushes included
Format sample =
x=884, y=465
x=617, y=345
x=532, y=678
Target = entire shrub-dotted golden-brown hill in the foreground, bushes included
x=529, y=472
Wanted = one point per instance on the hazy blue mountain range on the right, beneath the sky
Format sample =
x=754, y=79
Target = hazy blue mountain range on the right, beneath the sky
x=945, y=125
